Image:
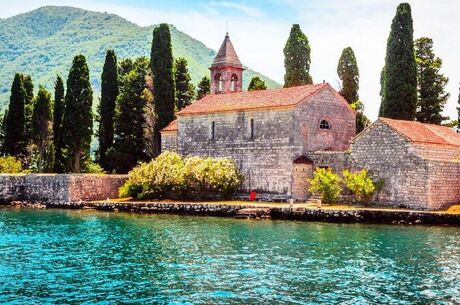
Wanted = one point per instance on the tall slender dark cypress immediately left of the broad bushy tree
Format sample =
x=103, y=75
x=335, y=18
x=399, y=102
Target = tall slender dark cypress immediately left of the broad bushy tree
x=109, y=93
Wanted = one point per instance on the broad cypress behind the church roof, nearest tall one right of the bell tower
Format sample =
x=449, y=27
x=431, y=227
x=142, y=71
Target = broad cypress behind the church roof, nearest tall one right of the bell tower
x=297, y=59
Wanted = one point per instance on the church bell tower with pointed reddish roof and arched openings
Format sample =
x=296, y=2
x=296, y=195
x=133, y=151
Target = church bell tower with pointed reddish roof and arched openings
x=226, y=70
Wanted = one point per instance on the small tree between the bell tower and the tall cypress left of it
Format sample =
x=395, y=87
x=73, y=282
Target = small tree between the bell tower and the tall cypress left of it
x=185, y=91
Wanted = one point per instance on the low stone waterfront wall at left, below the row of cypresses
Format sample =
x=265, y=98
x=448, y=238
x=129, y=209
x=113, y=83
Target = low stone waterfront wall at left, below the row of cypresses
x=53, y=187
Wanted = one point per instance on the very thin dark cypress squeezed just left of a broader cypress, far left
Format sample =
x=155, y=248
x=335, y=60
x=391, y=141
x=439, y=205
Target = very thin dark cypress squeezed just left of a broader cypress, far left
x=58, y=112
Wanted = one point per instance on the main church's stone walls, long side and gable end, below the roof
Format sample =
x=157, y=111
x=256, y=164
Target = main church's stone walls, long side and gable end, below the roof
x=265, y=155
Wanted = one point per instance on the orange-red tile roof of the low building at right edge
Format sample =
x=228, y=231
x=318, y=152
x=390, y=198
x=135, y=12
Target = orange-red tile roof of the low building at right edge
x=424, y=133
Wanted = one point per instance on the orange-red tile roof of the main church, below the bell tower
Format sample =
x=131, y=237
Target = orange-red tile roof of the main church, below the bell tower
x=260, y=99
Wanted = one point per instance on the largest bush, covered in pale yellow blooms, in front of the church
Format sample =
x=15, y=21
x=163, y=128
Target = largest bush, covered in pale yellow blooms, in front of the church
x=172, y=177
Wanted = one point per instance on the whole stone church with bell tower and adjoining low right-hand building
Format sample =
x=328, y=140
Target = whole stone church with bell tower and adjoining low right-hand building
x=278, y=136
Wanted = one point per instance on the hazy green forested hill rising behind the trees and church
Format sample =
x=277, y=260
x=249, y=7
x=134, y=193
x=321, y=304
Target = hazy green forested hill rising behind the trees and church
x=43, y=42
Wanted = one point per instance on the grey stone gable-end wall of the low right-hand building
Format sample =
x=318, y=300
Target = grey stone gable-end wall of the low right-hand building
x=389, y=156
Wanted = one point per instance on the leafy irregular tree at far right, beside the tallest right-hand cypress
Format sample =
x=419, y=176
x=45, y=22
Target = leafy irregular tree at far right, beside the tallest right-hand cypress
x=431, y=83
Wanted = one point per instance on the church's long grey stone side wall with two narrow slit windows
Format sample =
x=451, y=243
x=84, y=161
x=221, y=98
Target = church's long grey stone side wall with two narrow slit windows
x=265, y=160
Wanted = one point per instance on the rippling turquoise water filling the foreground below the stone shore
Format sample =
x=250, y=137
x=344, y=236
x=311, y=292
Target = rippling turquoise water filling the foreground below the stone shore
x=87, y=257
